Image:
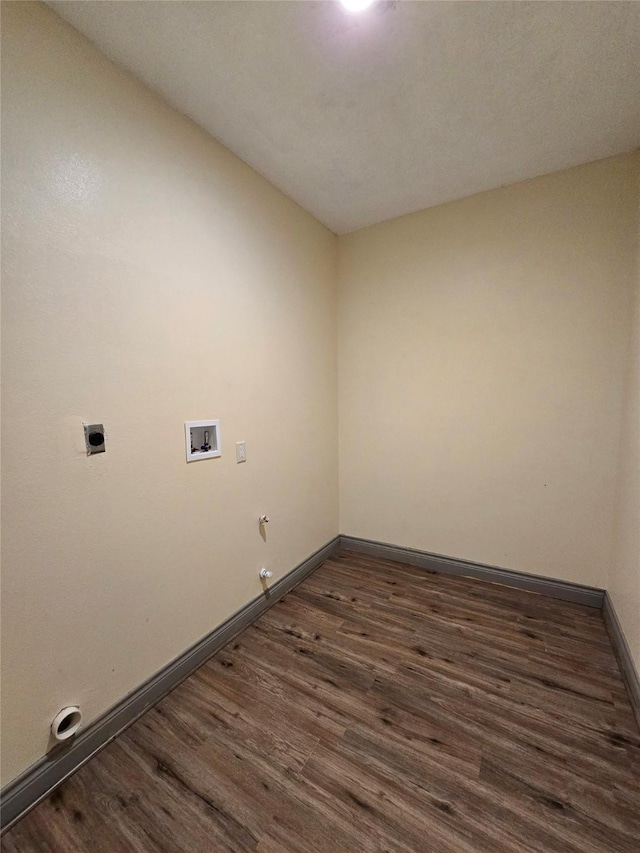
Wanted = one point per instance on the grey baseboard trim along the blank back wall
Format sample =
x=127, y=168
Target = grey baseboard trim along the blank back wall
x=564, y=590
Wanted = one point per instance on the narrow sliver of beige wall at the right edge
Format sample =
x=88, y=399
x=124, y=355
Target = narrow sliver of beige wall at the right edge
x=624, y=578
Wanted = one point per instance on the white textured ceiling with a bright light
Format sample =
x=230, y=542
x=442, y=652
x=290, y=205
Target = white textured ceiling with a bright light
x=361, y=118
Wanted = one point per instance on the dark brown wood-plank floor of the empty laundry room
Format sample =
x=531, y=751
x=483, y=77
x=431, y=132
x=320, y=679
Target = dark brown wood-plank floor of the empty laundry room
x=378, y=707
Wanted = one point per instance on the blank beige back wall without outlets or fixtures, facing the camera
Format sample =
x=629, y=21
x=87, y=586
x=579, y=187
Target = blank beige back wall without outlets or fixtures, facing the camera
x=481, y=364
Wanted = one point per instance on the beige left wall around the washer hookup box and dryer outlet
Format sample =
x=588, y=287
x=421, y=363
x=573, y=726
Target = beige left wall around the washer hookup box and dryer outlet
x=150, y=277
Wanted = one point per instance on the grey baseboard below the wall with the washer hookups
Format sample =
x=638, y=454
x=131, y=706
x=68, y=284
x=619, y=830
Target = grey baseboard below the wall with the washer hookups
x=42, y=778
